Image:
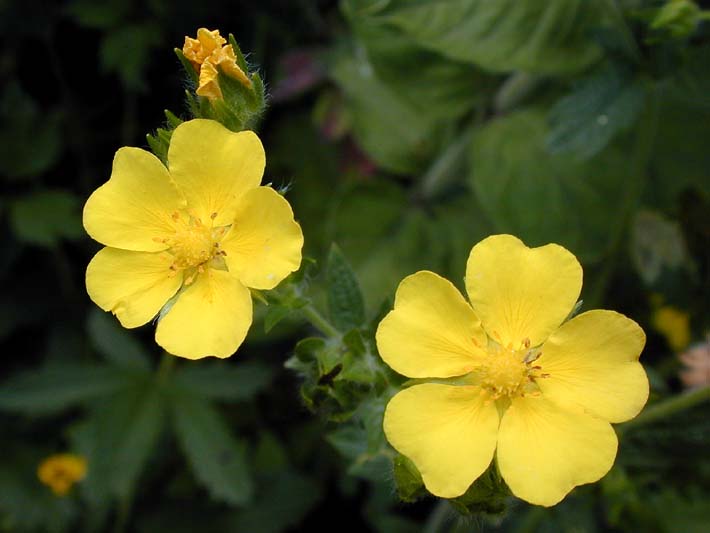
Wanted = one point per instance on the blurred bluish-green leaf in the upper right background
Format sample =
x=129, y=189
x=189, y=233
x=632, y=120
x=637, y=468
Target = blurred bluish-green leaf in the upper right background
x=586, y=120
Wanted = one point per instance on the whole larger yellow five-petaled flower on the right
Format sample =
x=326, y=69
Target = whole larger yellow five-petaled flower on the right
x=538, y=393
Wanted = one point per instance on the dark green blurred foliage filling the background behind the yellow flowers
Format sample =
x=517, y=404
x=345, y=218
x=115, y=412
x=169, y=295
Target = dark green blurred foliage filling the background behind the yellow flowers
x=407, y=131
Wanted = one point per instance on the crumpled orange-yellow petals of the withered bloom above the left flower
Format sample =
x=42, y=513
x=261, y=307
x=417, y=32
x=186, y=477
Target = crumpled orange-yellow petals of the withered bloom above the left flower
x=209, y=54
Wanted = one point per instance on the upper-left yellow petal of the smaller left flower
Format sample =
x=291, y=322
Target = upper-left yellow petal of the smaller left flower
x=132, y=209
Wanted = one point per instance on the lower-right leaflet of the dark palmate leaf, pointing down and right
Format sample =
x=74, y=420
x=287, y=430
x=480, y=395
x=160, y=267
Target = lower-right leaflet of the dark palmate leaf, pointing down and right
x=218, y=459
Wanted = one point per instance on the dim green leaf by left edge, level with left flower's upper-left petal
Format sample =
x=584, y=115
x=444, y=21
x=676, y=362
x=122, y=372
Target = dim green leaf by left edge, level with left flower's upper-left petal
x=46, y=217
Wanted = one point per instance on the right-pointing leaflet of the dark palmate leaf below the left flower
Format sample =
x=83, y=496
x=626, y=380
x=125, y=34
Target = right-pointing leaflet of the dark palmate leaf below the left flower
x=224, y=382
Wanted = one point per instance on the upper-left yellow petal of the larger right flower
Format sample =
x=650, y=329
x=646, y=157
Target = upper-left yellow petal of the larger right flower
x=432, y=331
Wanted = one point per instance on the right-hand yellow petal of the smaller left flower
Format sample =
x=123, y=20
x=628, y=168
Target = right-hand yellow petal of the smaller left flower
x=264, y=244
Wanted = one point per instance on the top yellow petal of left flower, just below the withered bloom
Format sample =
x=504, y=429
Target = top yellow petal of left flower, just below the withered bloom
x=213, y=167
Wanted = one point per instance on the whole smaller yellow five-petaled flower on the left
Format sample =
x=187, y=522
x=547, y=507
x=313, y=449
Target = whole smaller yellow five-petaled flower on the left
x=196, y=235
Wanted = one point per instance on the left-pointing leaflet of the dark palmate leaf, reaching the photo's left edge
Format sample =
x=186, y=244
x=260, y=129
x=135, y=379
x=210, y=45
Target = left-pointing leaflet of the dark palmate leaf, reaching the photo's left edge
x=53, y=388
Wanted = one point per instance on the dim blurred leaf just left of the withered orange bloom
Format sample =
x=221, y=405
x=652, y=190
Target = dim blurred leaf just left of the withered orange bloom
x=126, y=51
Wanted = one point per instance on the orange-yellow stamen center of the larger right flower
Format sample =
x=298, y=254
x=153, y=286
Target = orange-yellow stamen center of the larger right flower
x=508, y=372
